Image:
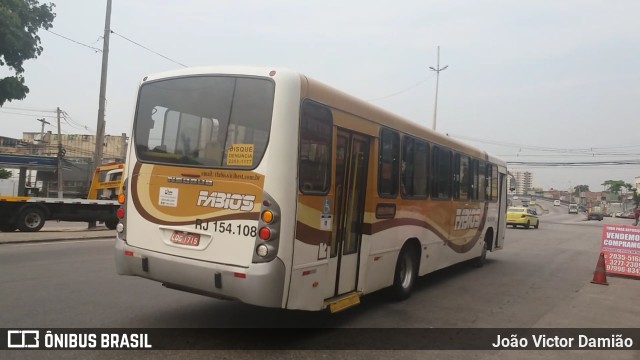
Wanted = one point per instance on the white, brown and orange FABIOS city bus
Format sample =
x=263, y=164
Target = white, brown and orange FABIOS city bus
x=267, y=187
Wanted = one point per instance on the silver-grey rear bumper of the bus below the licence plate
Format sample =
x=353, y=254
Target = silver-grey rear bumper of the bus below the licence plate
x=259, y=284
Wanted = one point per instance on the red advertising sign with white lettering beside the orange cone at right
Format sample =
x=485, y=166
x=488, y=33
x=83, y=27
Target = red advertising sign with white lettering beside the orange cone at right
x=621, y=249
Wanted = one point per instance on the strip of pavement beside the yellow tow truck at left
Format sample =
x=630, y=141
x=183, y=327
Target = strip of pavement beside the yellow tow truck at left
x=55, y=231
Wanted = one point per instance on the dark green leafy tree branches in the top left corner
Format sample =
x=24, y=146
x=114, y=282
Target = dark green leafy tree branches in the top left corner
x=20, y=21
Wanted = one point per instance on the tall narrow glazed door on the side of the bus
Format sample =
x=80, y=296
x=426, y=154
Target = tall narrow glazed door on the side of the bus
x=352, y=164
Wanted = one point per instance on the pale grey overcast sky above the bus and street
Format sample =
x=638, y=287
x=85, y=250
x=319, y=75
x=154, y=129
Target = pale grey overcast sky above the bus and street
x=544, y=83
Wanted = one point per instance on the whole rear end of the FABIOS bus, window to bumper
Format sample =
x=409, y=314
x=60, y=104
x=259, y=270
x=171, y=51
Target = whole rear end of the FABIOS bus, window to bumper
x=197, y=214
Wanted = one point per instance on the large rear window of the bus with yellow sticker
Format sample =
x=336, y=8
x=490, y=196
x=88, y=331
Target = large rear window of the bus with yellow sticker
x=209, y=121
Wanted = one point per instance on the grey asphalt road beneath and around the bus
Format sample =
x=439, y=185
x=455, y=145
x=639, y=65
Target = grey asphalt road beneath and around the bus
x=540, y=280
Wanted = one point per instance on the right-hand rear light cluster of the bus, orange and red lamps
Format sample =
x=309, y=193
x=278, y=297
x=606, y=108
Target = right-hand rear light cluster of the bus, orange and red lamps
x=266, y=247
